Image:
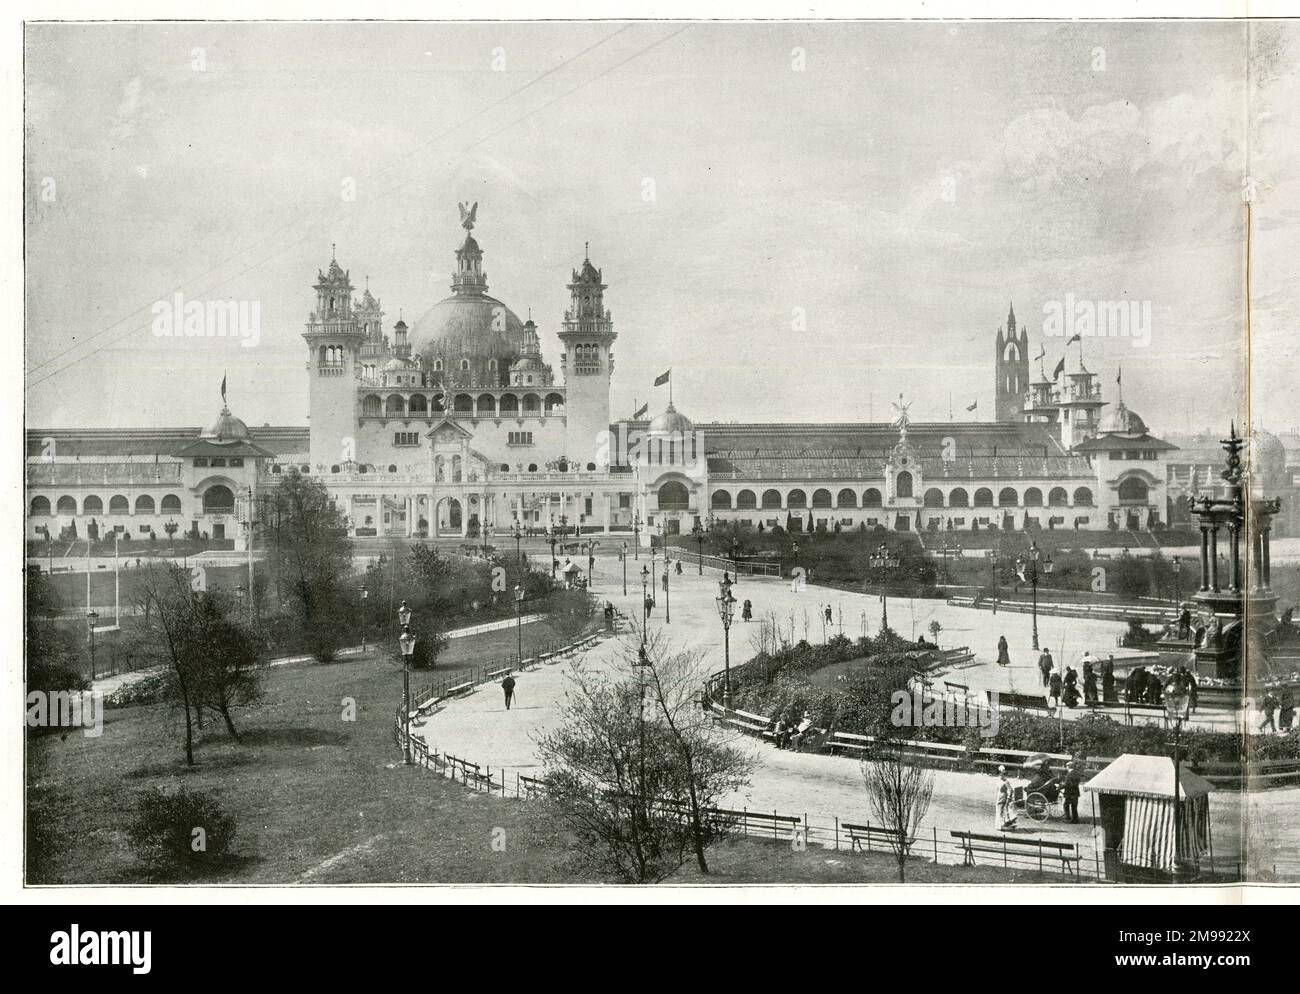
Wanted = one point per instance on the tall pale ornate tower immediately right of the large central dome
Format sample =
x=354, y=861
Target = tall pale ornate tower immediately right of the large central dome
x=588, y=363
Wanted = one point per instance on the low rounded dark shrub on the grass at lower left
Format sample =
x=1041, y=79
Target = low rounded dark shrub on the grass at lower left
x=187, y=831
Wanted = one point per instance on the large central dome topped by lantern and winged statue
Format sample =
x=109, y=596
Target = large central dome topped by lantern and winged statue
x=470, y=324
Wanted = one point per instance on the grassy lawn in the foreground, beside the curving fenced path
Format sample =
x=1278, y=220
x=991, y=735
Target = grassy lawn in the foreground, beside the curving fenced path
x=319, y=800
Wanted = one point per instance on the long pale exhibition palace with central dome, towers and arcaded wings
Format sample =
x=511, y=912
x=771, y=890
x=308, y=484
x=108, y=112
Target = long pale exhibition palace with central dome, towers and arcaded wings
x=458, y=420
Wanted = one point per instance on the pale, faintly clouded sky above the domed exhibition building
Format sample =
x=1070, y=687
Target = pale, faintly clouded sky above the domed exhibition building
x=803, y=222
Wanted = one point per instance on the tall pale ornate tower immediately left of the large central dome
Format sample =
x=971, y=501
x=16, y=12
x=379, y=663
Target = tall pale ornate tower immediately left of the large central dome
x=335, y=337
